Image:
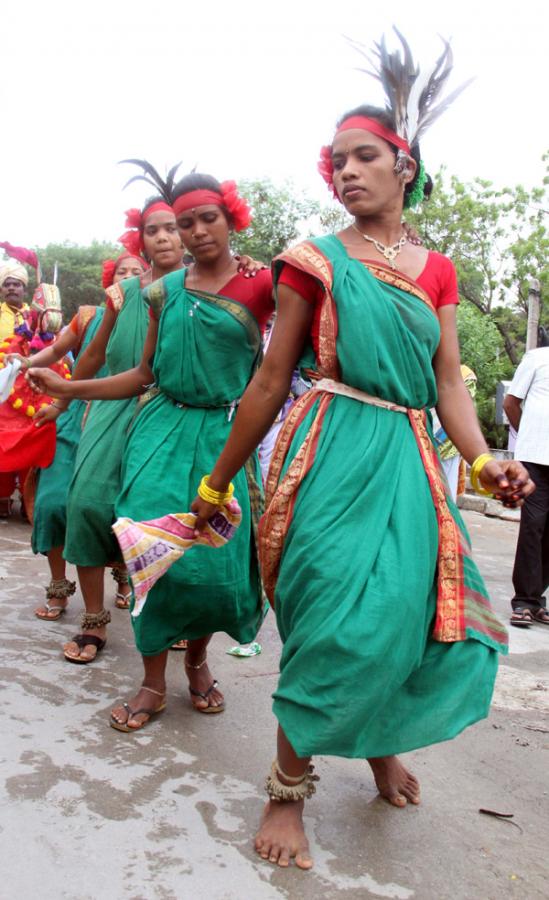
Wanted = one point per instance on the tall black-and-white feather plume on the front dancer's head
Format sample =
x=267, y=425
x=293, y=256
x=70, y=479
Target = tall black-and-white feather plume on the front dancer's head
x=413, y=96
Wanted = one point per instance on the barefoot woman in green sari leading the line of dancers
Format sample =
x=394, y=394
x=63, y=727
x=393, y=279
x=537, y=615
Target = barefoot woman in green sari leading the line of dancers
x=389, y=641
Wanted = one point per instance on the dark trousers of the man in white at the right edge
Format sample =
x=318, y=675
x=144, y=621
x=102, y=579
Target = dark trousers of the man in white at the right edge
x=531, y=570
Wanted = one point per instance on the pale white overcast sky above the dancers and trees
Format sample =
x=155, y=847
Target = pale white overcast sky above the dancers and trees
x=243, y=89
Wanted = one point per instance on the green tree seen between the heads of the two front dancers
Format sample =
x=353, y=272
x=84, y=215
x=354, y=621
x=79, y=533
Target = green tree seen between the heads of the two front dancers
x=278, y=216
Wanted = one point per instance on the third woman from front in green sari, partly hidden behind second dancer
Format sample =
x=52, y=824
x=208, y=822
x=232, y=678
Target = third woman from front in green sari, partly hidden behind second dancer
x=119, y=342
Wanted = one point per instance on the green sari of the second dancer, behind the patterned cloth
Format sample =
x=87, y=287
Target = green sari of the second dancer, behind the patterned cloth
x=208, y=347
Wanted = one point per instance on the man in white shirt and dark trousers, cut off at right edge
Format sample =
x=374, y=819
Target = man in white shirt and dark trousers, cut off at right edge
x=527, y=408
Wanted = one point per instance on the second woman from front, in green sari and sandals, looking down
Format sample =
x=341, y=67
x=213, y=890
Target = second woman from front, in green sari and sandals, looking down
x=204, y=337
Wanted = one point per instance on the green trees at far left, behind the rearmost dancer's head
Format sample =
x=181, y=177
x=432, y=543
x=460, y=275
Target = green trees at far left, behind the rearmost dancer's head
x=79, y=272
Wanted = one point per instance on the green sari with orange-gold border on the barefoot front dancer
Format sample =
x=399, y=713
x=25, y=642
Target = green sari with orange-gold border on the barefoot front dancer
x=389, y=640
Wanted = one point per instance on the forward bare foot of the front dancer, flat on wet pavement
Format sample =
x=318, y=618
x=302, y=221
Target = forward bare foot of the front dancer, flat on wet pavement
x=281, y=836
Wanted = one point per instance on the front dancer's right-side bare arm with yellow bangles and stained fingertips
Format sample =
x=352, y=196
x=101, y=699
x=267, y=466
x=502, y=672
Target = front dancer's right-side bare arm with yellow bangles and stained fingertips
x=509, y=480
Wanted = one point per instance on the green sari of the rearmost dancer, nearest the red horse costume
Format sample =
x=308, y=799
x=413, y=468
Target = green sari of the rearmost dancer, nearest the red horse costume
x=52, y=484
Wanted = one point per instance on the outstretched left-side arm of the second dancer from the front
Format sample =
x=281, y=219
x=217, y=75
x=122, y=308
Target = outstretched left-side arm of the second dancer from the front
x=116, y=387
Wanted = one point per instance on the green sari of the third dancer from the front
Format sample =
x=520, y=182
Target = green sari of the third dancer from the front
x=96, y=480
